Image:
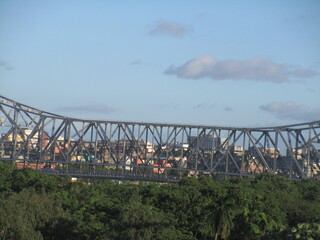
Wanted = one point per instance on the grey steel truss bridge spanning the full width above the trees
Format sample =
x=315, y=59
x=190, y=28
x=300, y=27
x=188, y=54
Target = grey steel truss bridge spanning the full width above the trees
x=55, y=144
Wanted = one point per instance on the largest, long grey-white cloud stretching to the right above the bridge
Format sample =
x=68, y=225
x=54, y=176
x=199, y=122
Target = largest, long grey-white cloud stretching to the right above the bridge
x=255, y=69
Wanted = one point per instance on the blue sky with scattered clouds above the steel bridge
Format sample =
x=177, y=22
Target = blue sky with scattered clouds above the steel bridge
x=234, y=63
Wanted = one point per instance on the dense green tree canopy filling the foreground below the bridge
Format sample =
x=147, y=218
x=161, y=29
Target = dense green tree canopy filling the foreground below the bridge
x=38, y=206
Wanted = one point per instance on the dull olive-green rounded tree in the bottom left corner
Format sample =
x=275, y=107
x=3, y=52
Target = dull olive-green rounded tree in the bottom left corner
x=25, y=215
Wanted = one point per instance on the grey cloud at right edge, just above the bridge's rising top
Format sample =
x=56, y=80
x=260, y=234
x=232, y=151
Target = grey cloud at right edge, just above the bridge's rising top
x=292, y=111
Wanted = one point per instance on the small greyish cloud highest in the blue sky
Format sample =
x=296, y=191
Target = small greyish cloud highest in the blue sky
x=174, y=29
